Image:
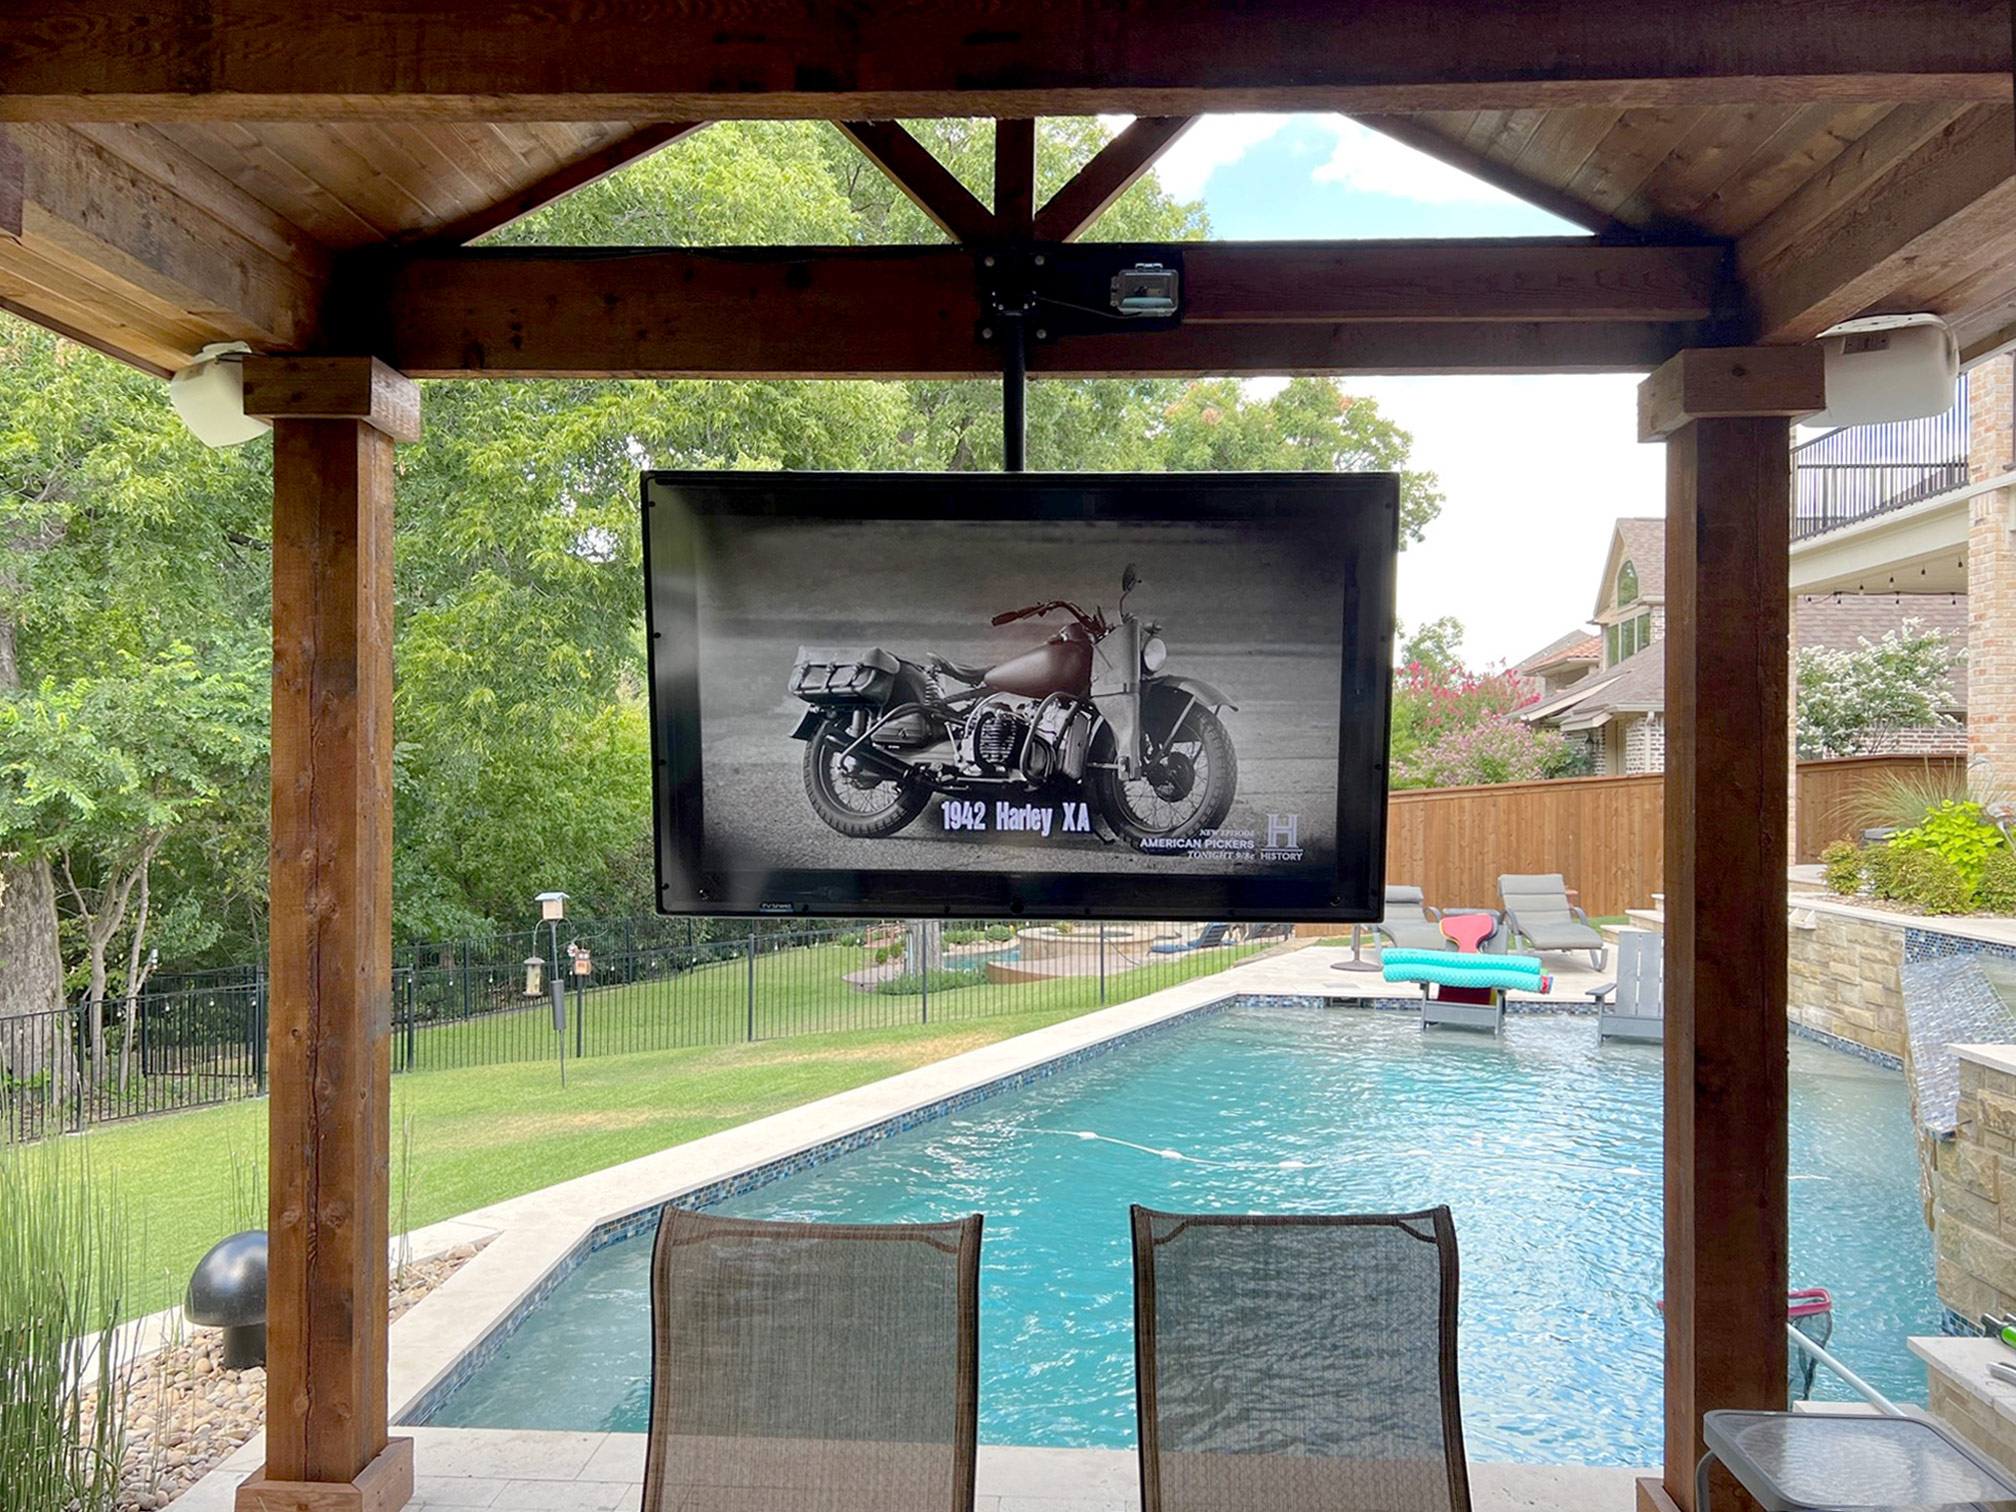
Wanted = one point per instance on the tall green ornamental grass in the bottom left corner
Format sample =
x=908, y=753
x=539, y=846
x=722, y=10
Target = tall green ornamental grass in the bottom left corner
x=64, y=1271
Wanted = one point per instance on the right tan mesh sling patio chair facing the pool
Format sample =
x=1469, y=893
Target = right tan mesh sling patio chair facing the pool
x=1297, y=1364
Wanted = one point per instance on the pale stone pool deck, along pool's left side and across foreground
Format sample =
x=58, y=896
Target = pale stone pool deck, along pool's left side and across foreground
x=535, y=1239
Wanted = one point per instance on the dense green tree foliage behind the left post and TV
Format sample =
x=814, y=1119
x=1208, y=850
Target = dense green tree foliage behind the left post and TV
x=523, y=751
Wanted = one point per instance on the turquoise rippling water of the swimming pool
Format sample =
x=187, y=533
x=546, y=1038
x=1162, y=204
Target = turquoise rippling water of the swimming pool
x=1543, y=1144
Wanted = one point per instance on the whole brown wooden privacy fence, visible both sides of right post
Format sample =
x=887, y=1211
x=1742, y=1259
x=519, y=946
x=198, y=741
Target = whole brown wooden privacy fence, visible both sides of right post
x=1606, y=836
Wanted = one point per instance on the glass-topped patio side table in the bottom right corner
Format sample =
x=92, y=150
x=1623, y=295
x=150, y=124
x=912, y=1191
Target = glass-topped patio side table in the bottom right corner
x=1791, y=1463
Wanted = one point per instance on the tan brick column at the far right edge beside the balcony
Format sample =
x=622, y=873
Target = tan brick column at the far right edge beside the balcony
x=1993, y=574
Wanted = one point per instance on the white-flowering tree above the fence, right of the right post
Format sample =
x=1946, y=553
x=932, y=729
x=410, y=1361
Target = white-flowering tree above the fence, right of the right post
x=1850, y=699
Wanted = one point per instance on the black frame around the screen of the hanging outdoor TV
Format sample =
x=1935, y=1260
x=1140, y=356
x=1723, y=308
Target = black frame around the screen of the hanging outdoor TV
x=1360, y=509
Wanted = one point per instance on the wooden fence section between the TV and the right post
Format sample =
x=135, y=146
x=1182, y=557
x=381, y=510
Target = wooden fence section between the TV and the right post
x=1606, y=836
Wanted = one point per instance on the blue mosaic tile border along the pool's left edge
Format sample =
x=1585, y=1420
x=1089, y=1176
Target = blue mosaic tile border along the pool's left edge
x=644, y=1221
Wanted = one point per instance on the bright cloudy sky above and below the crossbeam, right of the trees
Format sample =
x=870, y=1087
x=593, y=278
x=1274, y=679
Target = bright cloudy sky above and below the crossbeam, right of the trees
x=1535, y=471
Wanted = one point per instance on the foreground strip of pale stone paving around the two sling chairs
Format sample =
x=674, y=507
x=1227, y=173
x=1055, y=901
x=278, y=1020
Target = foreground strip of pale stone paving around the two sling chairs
x=507, y=1471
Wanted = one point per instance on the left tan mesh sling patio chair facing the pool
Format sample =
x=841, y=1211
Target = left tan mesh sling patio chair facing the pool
x=813, y=1368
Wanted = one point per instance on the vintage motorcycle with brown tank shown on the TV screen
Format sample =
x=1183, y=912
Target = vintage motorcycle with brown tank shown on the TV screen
x=1090, y=721
